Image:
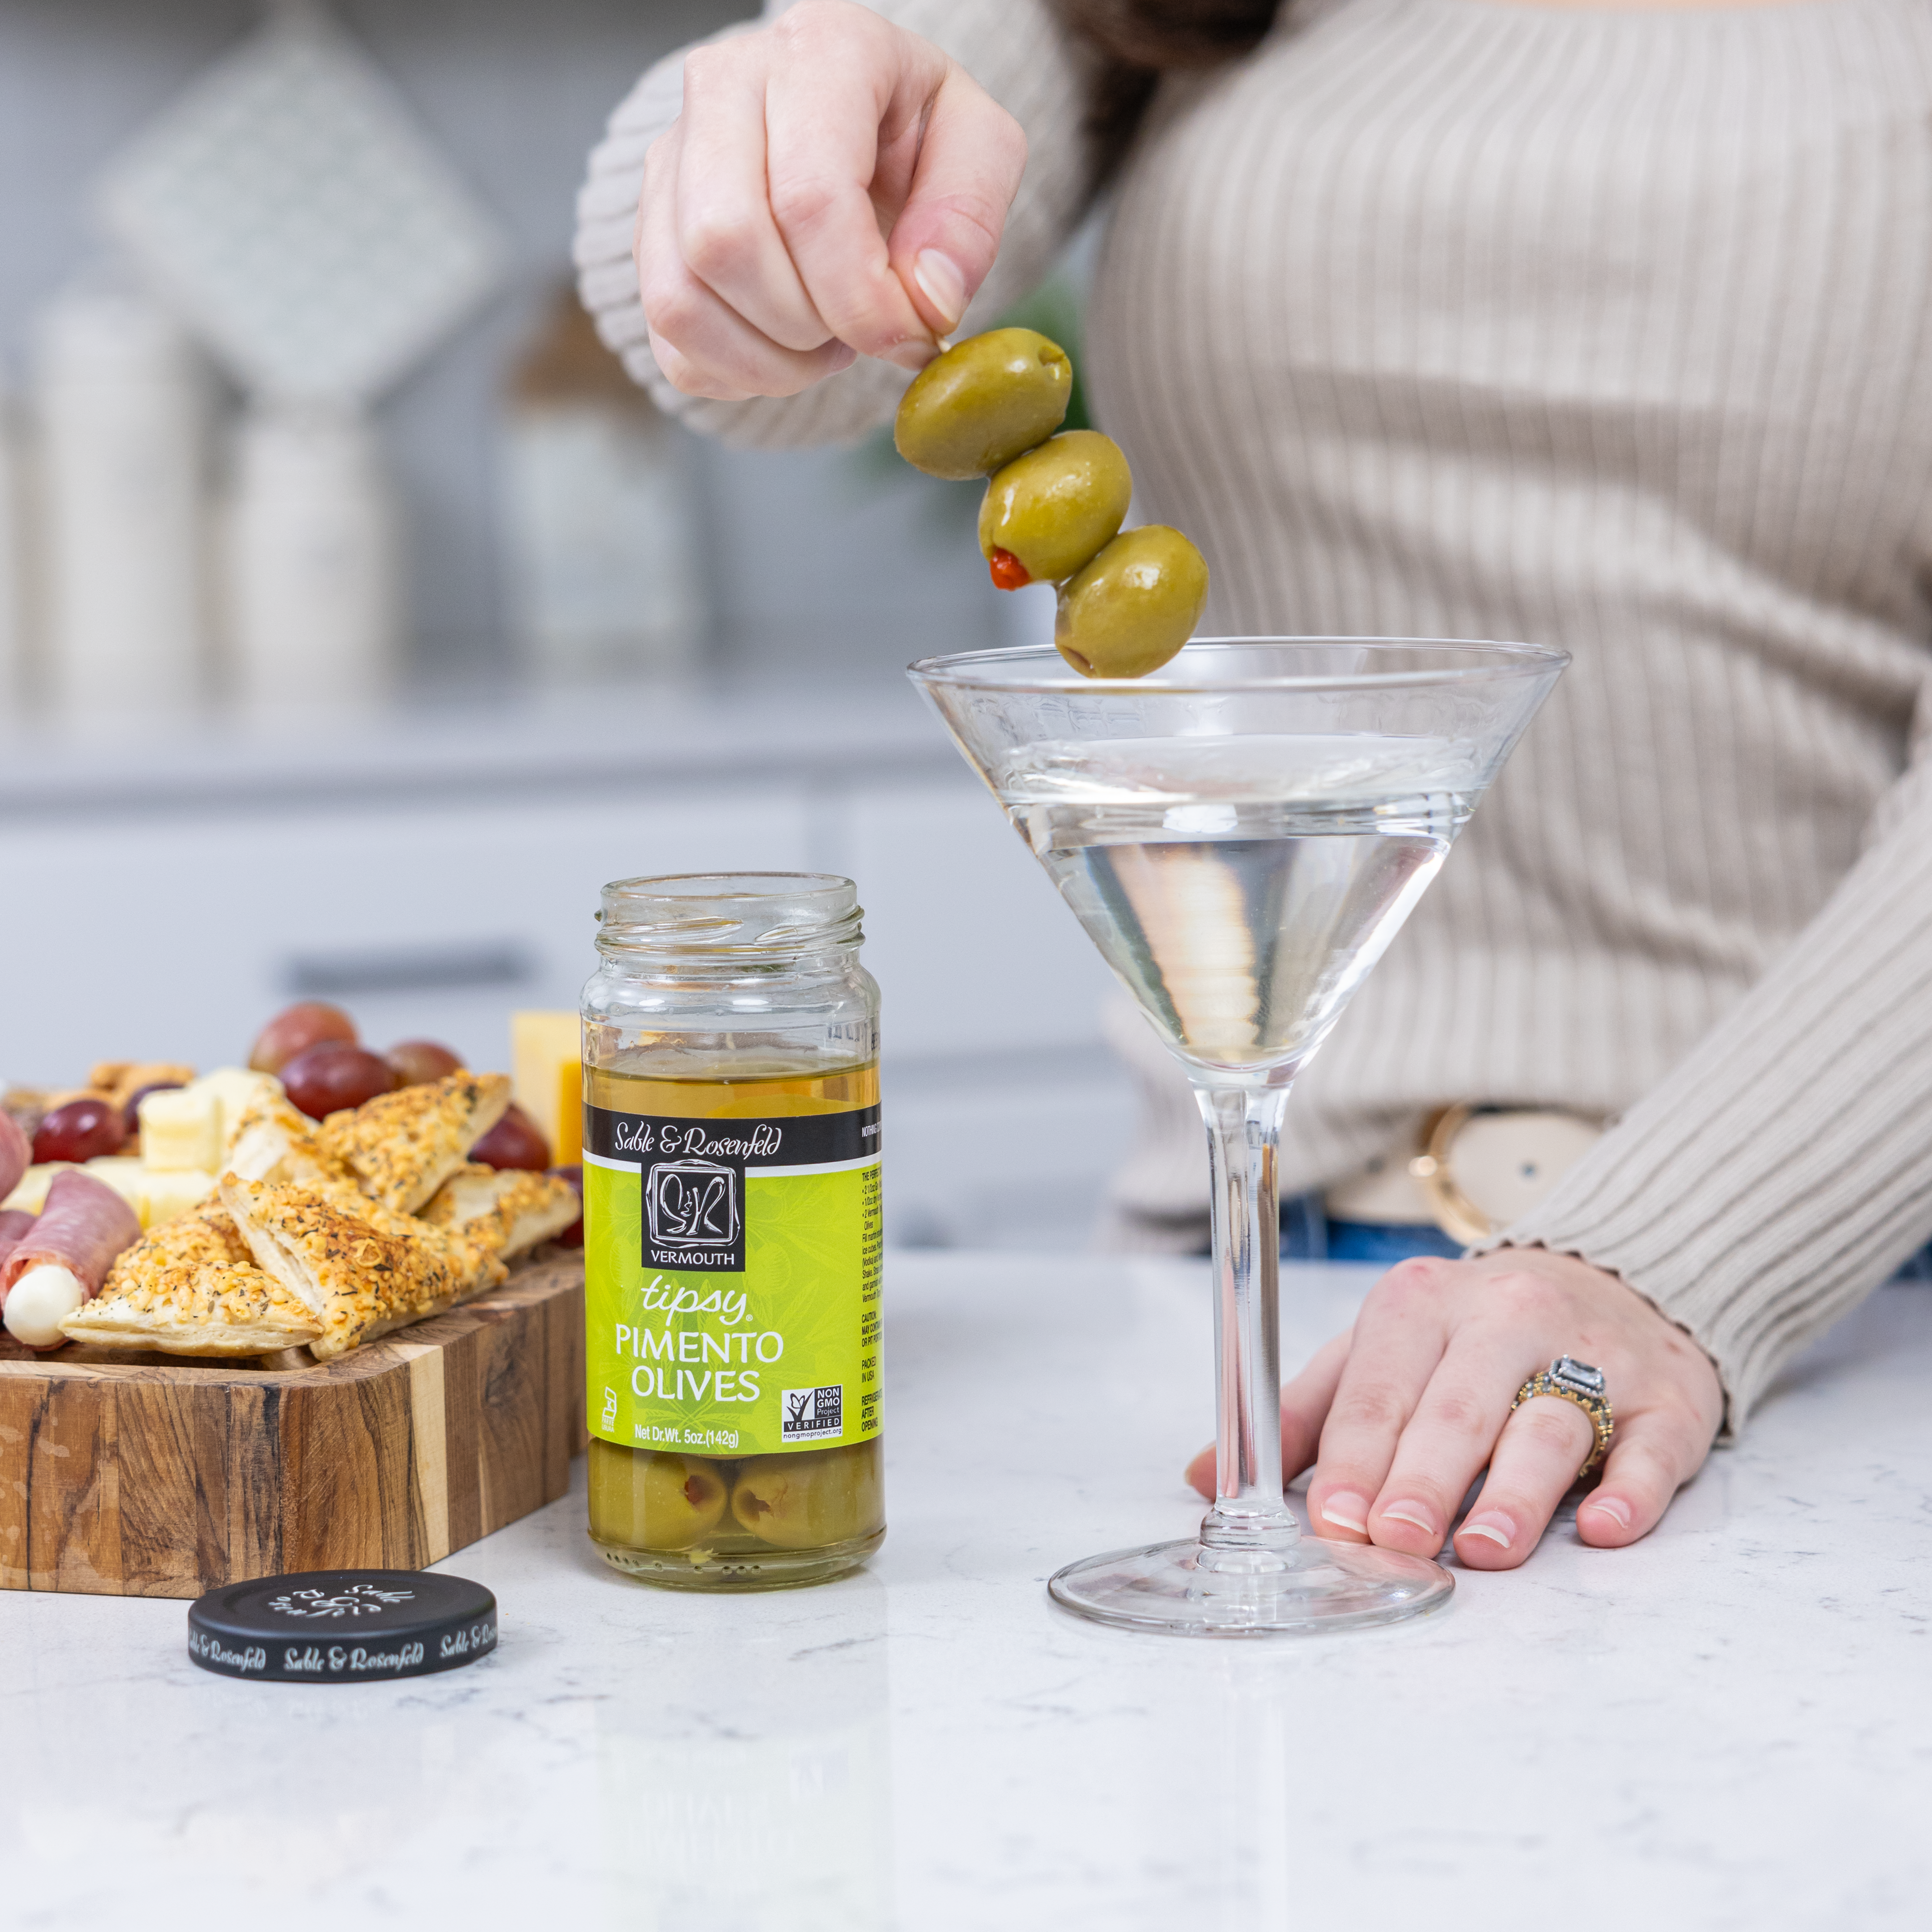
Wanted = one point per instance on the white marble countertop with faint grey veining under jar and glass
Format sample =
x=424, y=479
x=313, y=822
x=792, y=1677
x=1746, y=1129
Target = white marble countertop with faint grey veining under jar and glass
x=1726, y=1726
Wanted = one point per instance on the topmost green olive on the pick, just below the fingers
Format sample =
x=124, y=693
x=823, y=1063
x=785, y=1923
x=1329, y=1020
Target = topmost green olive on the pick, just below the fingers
x=982, y=403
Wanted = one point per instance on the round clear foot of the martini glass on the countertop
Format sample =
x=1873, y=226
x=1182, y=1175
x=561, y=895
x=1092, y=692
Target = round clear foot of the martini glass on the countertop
x=1301, y=1591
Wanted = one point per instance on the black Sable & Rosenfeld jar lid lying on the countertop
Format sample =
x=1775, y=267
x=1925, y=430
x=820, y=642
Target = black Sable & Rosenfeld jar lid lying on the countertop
x=343, y=1628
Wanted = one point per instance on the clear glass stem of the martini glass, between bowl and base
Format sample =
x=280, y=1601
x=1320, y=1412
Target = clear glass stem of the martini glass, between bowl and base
x=1249, y=1527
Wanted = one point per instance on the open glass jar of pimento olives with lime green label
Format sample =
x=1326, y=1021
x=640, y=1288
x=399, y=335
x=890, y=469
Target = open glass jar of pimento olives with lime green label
x=733, y=1232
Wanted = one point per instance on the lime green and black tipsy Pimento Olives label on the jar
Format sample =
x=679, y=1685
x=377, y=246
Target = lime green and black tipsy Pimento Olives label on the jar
x=731, y=1282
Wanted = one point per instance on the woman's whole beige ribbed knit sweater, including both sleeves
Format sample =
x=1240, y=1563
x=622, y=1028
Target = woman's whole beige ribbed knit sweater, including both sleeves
x=1603, y=329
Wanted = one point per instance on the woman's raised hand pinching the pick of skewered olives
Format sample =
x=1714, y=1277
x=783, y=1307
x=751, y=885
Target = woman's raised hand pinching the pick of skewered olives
x=834, y=188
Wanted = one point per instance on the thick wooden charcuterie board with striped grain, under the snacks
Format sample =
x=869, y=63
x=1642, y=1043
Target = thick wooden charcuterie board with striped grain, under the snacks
x=130, y=1475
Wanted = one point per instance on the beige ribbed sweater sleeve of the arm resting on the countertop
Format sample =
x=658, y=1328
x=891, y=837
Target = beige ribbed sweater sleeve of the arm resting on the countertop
x=1784, y=1170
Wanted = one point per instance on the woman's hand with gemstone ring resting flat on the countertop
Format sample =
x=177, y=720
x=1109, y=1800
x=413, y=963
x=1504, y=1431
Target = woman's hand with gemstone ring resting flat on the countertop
x=1411, y=1406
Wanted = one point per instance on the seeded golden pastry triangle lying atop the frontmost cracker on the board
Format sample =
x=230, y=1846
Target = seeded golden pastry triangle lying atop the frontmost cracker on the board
x=358, y=1272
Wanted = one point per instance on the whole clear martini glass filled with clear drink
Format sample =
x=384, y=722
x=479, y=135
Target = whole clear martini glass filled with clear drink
x=1243, y=836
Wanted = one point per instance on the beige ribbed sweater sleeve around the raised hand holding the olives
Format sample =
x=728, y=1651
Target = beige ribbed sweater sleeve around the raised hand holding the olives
x=1017, y=51
